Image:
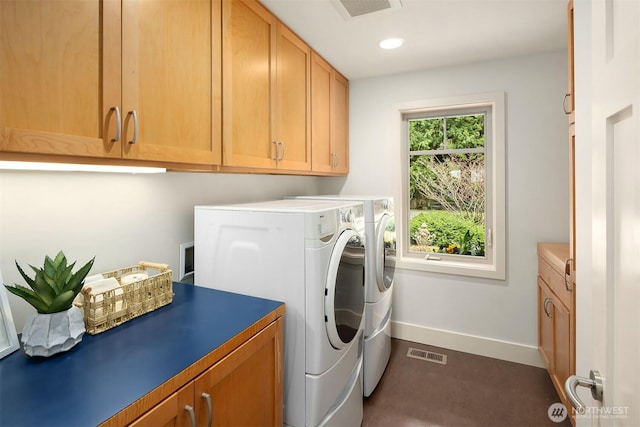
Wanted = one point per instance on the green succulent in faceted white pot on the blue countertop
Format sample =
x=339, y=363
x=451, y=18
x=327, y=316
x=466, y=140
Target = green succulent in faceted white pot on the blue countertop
x=58, y=325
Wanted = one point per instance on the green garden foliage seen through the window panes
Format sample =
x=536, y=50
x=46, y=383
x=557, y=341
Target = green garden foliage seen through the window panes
x=447, y=187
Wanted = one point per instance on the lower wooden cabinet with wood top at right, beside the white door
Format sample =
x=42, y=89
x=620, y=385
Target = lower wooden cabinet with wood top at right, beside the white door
x=556, y=315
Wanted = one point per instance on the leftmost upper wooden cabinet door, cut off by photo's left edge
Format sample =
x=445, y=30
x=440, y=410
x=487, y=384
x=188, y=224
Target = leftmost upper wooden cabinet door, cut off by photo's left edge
x=60, y=77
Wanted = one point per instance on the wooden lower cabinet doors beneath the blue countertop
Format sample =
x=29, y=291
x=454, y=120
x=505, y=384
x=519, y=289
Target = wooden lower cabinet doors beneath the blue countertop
x=243, y=388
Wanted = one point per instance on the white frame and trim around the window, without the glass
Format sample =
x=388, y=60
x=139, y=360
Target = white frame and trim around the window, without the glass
x=493, y=265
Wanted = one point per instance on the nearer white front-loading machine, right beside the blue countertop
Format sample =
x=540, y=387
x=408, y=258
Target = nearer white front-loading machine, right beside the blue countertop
x=310, y=255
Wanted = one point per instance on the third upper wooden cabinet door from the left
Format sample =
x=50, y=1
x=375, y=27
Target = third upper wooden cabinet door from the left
x=248, y=76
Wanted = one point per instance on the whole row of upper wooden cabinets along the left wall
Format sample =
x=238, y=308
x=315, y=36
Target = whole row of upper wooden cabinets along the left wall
x=142, y=83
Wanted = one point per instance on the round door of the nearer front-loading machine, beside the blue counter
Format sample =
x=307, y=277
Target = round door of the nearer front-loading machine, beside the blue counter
x=344, y=290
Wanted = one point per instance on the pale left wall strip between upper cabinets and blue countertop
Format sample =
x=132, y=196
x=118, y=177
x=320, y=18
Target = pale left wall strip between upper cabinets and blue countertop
x=119, y=218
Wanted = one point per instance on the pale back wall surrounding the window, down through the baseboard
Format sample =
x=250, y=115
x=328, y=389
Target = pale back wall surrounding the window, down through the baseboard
x=495, y=318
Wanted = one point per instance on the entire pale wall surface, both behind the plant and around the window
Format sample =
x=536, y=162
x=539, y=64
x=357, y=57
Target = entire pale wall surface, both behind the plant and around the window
x=122, y=219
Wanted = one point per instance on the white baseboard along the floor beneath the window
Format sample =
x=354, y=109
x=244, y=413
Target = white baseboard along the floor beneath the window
x=503, y=350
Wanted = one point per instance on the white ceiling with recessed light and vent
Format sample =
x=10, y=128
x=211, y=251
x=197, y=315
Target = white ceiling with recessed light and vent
x=437, y=33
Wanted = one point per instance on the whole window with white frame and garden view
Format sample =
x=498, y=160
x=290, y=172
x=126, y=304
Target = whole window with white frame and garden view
x=451, y=218
